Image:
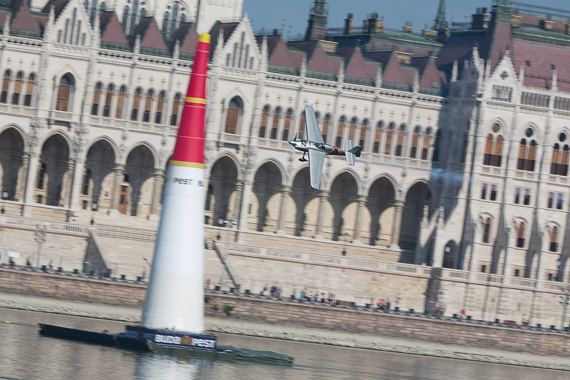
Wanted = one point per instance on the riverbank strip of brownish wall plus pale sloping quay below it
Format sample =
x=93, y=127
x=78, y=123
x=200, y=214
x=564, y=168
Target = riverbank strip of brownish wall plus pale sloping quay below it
x=299, y=321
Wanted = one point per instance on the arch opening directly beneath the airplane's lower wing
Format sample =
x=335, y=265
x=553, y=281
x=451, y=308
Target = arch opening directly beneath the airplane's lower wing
x=306, y=200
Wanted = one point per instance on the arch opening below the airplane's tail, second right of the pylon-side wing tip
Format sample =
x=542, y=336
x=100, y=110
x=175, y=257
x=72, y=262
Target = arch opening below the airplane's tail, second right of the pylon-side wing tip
x=343, y=196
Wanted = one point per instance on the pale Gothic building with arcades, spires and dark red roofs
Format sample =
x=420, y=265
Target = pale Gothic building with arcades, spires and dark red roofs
x=464, y=127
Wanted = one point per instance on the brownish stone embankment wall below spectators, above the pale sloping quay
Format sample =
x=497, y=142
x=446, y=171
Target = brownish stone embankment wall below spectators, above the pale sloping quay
x=297, y=314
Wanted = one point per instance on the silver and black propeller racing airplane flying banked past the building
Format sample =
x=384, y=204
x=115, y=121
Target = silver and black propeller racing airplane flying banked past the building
x=318, y=149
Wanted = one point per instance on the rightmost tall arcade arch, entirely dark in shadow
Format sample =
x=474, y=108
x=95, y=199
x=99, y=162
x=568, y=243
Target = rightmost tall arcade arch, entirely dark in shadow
x=418, y=195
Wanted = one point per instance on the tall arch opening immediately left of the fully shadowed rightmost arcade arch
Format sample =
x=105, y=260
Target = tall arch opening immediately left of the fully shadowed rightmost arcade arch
x=380, y=205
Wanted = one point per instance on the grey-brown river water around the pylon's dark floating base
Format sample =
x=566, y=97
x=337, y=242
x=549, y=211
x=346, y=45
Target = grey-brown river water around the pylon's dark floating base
x=25, y=354
